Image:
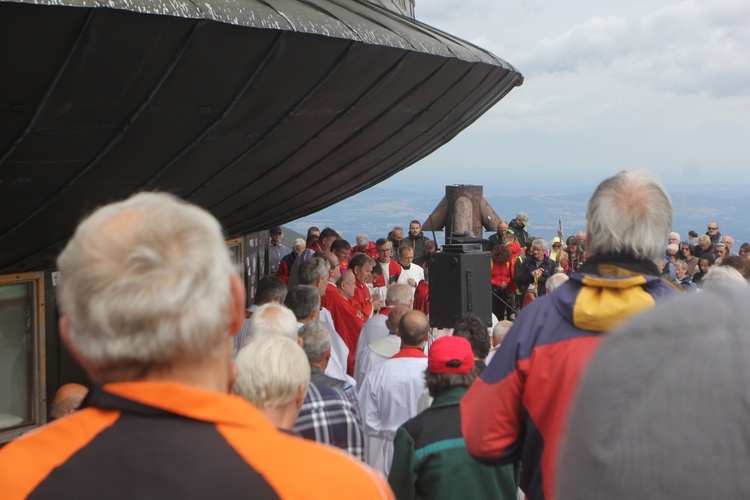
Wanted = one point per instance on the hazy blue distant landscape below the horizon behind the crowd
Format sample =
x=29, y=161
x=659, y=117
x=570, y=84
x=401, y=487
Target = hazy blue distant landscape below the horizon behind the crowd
x=377, y=210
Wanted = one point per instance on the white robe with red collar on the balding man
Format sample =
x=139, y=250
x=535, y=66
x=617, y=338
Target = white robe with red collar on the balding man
x=389, y=397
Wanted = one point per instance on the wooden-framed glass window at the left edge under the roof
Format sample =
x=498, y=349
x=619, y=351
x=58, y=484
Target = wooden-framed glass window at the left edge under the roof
x=21, y=353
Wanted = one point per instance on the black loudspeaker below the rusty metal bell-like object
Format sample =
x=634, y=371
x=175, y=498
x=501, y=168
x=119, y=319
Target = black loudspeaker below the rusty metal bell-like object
x=459, y=284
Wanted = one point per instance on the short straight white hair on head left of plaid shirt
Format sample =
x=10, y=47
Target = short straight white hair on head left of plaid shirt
x=270, y=372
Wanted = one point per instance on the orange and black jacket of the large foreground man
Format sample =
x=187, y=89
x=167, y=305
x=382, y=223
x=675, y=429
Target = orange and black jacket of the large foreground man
x=166, y=440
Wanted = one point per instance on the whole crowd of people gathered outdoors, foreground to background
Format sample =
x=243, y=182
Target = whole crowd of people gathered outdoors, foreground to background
x=194, y=394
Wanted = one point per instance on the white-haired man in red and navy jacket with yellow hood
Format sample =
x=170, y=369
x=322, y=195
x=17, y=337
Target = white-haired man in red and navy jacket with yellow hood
x=517, y=409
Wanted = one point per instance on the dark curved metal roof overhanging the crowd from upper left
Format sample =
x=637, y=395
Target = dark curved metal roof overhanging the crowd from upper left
x=260, y=111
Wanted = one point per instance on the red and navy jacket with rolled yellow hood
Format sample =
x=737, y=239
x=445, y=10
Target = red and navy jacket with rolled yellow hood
x=517, y=410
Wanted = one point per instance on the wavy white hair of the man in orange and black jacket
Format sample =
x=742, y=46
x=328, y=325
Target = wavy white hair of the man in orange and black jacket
x=146, y=283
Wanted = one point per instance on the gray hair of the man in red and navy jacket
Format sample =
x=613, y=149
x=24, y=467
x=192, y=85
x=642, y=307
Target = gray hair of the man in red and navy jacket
x=629, y=214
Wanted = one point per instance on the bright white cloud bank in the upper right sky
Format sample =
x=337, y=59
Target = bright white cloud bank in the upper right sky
x=683, y=48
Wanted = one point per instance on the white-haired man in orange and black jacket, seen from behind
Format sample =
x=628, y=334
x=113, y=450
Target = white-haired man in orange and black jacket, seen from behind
x=150, y=303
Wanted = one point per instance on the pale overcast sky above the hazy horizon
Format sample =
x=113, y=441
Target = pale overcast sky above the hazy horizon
x=609, y=85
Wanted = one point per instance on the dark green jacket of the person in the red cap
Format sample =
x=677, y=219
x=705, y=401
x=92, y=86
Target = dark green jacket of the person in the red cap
x=430, y=459
